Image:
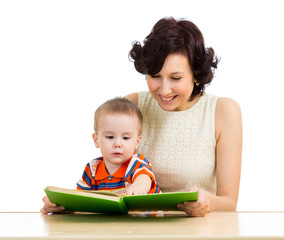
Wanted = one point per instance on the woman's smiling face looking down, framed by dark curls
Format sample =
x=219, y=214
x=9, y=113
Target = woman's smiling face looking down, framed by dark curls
x=173, y=85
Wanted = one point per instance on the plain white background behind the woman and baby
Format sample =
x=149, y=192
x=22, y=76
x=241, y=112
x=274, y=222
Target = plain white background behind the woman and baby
x=59, y=60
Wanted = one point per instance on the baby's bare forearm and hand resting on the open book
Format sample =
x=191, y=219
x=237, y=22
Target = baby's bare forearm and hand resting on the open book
x=141, y=185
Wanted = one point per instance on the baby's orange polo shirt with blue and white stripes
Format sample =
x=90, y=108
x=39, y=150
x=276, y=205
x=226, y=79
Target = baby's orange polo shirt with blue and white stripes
x=96, y=177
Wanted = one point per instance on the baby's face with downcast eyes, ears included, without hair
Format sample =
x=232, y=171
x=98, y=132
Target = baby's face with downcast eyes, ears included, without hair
x=117, y=137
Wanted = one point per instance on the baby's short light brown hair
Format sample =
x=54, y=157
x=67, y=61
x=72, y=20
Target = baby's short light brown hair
x=118, y=105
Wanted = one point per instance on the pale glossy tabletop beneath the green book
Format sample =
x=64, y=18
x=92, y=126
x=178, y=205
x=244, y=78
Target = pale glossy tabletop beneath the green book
x=137, y=225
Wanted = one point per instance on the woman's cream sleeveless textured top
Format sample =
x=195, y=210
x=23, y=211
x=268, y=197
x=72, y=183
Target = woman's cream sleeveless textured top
x=181, y=145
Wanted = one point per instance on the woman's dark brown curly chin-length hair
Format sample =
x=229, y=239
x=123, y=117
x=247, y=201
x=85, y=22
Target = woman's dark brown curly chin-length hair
x=175, y=36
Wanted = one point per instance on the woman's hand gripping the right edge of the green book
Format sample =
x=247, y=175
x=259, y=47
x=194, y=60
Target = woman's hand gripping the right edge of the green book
x=199, y=208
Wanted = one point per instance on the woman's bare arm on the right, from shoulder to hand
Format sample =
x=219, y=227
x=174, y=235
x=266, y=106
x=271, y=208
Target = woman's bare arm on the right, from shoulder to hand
x=228, y=129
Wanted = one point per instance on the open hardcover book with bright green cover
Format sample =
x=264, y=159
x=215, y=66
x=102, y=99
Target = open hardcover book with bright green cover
x=109, y=202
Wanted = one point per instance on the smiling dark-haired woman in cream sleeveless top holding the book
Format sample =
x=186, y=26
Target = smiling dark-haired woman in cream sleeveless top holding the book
x=193, y=139
